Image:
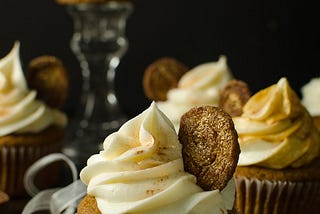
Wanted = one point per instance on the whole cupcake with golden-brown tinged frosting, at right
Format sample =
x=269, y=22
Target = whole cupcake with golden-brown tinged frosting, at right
x=278, y=168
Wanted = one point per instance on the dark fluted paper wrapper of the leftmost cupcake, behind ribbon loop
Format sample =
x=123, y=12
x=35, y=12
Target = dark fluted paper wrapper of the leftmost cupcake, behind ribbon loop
x=14, y=161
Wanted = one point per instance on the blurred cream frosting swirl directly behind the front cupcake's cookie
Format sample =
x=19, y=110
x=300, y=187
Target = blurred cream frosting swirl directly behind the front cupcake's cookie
x=199, y=86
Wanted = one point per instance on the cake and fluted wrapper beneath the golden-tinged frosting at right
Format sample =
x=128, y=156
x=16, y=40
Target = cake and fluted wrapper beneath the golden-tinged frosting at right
x=261, y=190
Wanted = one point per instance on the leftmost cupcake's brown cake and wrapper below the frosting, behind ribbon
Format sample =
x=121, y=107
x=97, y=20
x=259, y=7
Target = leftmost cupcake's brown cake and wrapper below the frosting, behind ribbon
x=19, y=151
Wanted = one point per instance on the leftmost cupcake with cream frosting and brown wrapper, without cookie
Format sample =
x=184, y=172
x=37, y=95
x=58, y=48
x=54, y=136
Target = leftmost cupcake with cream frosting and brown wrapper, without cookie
x=29, y=128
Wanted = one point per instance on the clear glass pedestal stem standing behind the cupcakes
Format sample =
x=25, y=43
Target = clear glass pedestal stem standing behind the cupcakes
x=98, y=42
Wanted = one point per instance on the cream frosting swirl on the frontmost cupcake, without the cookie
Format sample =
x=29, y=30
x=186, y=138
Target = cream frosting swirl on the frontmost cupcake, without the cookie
x=140, y=170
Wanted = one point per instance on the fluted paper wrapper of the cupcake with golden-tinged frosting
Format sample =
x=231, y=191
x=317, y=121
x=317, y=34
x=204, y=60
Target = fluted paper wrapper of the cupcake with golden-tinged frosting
x=263, y=196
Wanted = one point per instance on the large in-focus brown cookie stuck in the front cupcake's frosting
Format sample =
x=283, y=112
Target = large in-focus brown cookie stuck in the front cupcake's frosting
x=210, y=147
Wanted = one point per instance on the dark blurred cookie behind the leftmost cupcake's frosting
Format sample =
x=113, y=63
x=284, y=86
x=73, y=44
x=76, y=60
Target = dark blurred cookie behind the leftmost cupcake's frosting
x=48, y=76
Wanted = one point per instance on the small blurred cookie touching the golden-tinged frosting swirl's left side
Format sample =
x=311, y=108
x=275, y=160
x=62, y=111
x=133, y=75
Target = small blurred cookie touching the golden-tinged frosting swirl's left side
x=234, y=96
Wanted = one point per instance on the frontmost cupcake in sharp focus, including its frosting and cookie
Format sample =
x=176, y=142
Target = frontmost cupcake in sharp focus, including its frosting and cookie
x=141, y=169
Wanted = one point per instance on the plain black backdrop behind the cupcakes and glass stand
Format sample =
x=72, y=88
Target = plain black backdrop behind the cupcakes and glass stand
x=263, y=40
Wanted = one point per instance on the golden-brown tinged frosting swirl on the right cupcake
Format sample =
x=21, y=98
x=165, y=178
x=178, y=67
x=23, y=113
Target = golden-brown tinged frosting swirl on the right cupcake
x=275, y=130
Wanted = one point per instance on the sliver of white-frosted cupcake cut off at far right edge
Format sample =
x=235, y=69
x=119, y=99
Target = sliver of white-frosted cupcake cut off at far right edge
x=311, y=99
